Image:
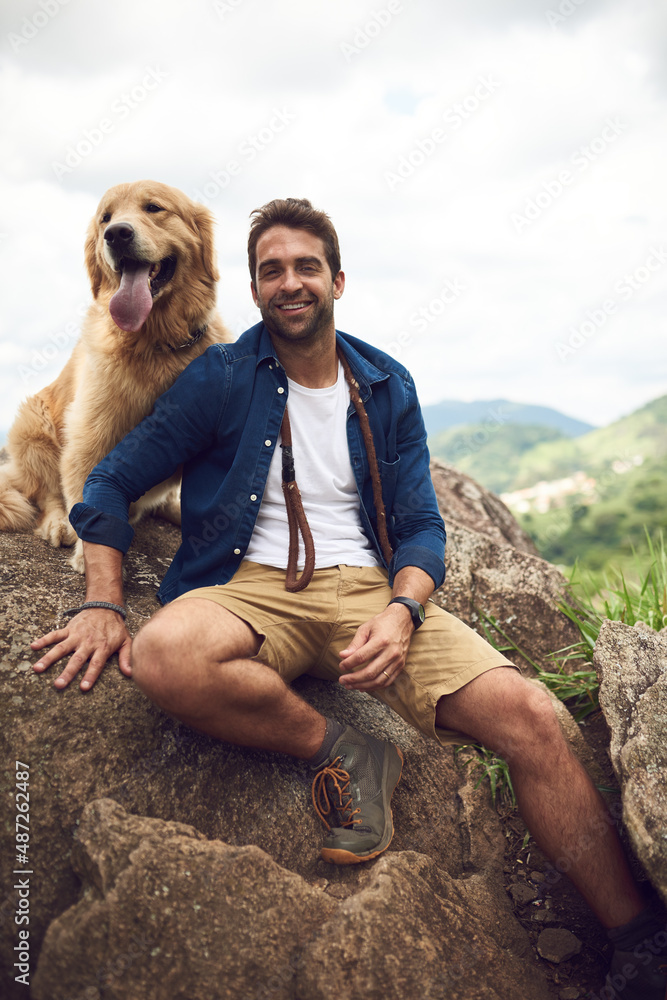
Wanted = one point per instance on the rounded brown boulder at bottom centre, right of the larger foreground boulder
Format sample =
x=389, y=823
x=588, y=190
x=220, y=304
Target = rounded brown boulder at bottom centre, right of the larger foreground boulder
x=384, y=939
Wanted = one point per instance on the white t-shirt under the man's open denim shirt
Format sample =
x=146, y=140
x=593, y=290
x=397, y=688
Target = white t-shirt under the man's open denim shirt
x=324, y=475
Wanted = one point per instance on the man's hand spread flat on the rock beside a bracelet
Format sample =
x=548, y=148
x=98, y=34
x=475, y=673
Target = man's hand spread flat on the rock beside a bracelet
x=93, y=635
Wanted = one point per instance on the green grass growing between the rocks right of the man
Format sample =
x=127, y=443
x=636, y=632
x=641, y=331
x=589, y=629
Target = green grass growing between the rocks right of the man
x=588, y=602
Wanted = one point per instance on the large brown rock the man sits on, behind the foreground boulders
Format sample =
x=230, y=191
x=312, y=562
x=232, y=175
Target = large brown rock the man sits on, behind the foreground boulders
x=113, y=743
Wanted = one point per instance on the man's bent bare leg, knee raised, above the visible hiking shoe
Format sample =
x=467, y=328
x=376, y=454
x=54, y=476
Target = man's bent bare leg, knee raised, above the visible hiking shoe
x=192, y=659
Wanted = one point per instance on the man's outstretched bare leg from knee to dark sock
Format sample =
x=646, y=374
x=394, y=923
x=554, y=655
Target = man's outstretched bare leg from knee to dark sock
x=557, y=799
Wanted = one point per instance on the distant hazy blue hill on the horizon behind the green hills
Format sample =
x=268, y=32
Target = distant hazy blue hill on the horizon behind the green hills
x=496, y=412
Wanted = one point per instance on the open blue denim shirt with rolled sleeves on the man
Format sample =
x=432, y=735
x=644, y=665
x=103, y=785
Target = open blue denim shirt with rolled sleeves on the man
x=221, y=421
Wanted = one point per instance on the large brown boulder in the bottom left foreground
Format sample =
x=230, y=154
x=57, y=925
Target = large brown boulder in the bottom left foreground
x=165, y=913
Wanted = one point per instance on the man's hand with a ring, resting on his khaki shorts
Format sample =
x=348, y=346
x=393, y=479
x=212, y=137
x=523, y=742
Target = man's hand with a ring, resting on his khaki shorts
x=377, y=654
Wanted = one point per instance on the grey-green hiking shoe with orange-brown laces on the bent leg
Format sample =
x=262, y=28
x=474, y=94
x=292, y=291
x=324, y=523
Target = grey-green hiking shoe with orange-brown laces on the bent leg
x=352, y=795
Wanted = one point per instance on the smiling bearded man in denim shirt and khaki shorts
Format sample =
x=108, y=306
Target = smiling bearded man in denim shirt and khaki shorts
x=238, y=624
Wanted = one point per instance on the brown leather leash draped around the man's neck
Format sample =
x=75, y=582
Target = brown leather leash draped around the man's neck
x=296, y=516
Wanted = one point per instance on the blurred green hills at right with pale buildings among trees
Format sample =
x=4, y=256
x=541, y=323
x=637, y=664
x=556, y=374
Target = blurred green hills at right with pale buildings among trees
x=596, y=518
